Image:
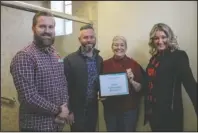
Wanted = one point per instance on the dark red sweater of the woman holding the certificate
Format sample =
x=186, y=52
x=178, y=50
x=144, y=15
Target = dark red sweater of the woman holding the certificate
x=125, y=102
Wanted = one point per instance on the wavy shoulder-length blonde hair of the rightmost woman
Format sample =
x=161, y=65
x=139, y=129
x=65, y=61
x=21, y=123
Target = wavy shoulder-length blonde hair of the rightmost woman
x=172, y=39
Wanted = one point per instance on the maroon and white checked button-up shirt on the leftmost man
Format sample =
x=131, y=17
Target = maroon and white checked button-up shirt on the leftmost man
x=38, y=75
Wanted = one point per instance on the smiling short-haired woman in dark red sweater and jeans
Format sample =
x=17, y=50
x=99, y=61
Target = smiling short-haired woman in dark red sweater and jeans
x=120, y=112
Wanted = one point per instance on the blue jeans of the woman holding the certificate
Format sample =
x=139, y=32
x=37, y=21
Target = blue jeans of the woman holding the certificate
x=122, y=122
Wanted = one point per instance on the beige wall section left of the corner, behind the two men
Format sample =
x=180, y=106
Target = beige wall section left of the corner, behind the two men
x=16, y=33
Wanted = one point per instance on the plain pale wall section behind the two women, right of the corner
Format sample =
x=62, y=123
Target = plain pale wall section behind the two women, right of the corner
x=134, y=20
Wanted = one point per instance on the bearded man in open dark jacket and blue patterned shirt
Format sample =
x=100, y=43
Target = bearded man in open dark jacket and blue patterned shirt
x=82, y=69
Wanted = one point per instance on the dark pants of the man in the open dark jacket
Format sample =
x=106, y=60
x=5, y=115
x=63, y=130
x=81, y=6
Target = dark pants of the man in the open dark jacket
x=86, y=120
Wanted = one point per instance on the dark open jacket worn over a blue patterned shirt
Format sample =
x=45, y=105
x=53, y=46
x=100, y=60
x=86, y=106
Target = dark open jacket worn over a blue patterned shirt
x=75, y=69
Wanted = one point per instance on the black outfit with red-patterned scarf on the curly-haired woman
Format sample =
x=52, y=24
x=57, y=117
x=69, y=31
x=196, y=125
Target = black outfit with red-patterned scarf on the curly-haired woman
x=166, y=72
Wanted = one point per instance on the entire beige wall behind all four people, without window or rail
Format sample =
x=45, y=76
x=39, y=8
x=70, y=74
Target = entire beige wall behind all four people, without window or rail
x=130, y=19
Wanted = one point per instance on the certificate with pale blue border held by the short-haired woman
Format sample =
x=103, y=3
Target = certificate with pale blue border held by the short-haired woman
x=113, y=84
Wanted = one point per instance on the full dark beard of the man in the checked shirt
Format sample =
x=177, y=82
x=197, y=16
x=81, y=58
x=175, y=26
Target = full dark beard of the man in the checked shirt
x=44, y=42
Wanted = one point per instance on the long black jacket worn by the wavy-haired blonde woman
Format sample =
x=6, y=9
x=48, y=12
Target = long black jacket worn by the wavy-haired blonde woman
x=174, y=70
